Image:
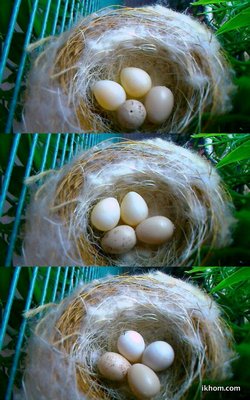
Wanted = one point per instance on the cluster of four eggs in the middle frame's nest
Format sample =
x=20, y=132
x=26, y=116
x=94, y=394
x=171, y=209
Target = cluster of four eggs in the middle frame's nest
x=135, y=224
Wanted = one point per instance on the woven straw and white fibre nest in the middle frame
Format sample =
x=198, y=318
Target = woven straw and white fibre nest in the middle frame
x=175, y=182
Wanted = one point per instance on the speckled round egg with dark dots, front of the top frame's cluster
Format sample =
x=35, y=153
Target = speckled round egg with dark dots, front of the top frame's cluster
x=131, y=114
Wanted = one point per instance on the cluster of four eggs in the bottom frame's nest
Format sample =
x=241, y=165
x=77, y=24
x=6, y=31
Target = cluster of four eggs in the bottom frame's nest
x=146, y=360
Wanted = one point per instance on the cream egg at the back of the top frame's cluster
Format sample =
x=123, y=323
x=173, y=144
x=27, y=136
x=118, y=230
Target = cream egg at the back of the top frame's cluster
x=135, y=81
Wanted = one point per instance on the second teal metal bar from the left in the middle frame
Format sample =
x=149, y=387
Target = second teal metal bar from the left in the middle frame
x=20, y=202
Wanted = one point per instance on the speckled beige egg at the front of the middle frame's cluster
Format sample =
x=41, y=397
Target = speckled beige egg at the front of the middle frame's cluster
x=119, y=240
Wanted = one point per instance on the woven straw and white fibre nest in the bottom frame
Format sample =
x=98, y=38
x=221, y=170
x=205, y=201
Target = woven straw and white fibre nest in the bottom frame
x=70, y=338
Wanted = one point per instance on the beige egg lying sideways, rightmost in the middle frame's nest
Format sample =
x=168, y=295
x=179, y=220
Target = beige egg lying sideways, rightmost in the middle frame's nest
x=155, y=230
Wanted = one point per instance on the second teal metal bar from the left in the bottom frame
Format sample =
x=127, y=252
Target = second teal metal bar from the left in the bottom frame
x=20, y=337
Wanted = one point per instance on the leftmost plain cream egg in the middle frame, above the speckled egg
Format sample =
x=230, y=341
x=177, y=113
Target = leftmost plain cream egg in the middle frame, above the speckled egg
x=106, y=214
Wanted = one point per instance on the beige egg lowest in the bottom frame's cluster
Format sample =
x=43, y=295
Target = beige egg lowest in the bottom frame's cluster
x=143, y=381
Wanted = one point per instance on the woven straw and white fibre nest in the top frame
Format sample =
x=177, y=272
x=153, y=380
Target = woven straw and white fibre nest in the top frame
x=176, y=50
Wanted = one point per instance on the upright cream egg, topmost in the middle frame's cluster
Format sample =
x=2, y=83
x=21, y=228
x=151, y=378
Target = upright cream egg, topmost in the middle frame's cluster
x=134, y=209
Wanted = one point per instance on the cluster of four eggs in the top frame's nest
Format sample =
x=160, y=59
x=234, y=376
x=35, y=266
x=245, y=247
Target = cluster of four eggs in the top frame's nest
x=154, y=103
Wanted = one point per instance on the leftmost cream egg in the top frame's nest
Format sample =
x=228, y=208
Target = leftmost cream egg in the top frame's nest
x=109, y=94
